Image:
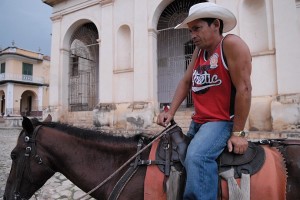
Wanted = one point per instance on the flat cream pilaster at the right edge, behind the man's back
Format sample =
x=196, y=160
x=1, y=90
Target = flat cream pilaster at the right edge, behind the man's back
x=287, y=40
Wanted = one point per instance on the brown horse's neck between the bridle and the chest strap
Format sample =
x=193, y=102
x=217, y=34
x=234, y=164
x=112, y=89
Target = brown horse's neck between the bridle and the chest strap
x=83, y=161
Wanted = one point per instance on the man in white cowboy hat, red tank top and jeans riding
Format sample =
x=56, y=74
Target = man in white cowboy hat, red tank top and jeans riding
x=219, y=77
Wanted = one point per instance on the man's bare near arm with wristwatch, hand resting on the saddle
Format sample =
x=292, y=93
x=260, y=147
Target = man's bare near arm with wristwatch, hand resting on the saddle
x=239, y=63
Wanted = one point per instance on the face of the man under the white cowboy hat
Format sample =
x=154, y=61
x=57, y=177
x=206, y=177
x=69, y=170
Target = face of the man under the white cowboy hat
x=201, y=33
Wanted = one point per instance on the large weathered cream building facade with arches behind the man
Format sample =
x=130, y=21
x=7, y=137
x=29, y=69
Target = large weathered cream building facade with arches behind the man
x=115, y=63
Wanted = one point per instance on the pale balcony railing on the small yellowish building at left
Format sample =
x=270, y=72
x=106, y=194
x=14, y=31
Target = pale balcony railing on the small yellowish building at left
x=22, y=78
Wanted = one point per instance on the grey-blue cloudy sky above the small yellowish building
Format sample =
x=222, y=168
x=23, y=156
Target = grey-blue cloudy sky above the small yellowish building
x=27, y=23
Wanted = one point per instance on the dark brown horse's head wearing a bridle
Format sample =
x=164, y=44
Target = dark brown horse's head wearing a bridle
x=28, y=172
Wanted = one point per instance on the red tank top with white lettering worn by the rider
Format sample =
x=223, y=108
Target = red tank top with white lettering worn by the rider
x=212, y=89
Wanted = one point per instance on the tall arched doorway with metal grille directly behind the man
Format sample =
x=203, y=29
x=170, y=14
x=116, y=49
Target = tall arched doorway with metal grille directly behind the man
x=174, y=50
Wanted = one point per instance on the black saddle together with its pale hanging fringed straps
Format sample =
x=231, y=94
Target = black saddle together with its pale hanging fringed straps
x=171, y=152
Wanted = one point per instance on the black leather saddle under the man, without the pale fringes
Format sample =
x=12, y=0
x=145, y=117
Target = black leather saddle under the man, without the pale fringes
x=172, y=149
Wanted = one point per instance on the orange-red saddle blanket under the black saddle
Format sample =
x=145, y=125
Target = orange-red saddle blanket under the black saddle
x=269, y=183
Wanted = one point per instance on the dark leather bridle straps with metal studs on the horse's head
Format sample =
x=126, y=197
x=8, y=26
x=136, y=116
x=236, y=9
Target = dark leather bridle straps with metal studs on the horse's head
x=30, y=152
